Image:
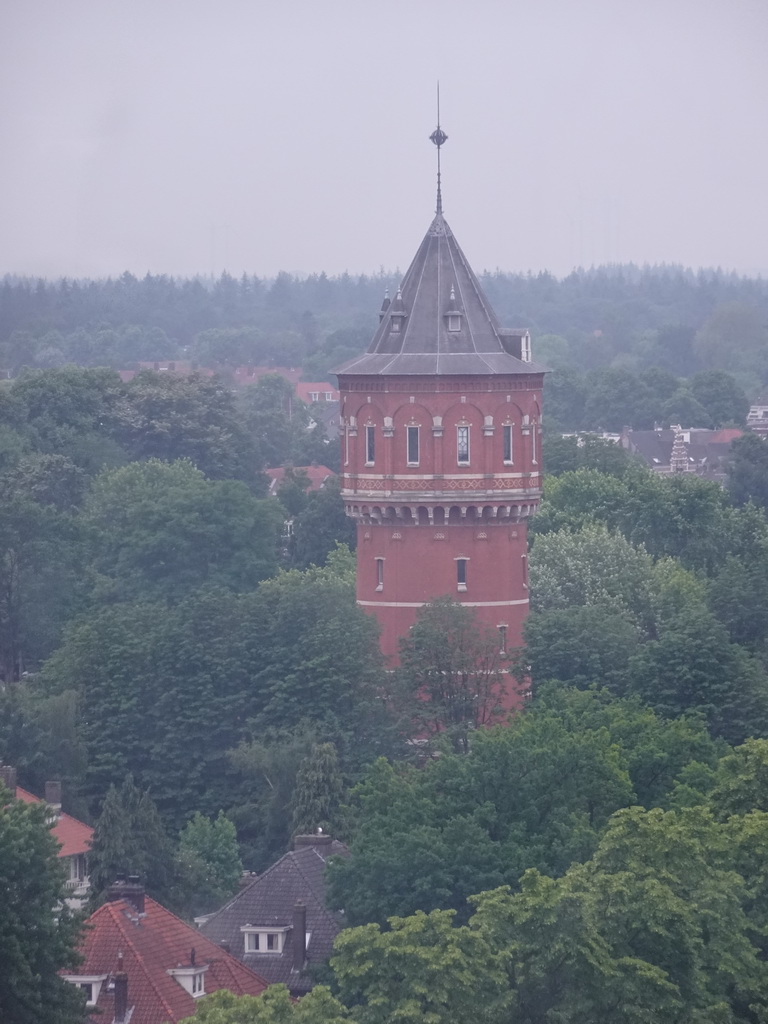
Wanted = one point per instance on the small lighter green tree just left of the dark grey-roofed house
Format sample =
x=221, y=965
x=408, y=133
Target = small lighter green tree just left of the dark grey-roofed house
x=208, y=865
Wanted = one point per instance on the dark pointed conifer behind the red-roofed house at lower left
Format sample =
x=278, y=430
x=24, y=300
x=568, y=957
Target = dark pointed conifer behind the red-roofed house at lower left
x=130, y=839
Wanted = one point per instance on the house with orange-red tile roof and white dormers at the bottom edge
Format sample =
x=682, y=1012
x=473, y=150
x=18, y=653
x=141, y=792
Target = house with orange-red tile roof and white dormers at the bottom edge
x=143, y=965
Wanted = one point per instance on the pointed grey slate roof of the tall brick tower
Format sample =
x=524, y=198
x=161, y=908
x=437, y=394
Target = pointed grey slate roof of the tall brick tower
x=424, y=345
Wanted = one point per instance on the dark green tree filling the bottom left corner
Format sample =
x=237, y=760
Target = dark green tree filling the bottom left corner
x=39, y=932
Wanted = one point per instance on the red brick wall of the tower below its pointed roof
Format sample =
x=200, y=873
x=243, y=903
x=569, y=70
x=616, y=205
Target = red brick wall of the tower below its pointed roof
x=417, y=518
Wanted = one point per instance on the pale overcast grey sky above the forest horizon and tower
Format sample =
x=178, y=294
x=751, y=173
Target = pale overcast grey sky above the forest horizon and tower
x=184, y=137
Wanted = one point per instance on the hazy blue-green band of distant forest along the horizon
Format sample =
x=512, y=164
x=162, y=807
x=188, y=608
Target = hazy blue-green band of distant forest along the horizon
x=620, y=317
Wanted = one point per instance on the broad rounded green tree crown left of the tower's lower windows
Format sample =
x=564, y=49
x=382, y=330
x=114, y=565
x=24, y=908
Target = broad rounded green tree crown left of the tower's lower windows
x=163, y=529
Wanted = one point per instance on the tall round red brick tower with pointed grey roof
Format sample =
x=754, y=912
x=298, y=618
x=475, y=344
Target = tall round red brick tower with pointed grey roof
x=442, y=449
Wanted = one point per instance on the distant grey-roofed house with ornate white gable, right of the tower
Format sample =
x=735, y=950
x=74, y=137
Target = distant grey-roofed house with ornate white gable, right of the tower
x=679, y=450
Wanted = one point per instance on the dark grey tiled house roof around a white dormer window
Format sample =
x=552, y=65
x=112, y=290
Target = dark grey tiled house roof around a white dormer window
x=270, y=902
